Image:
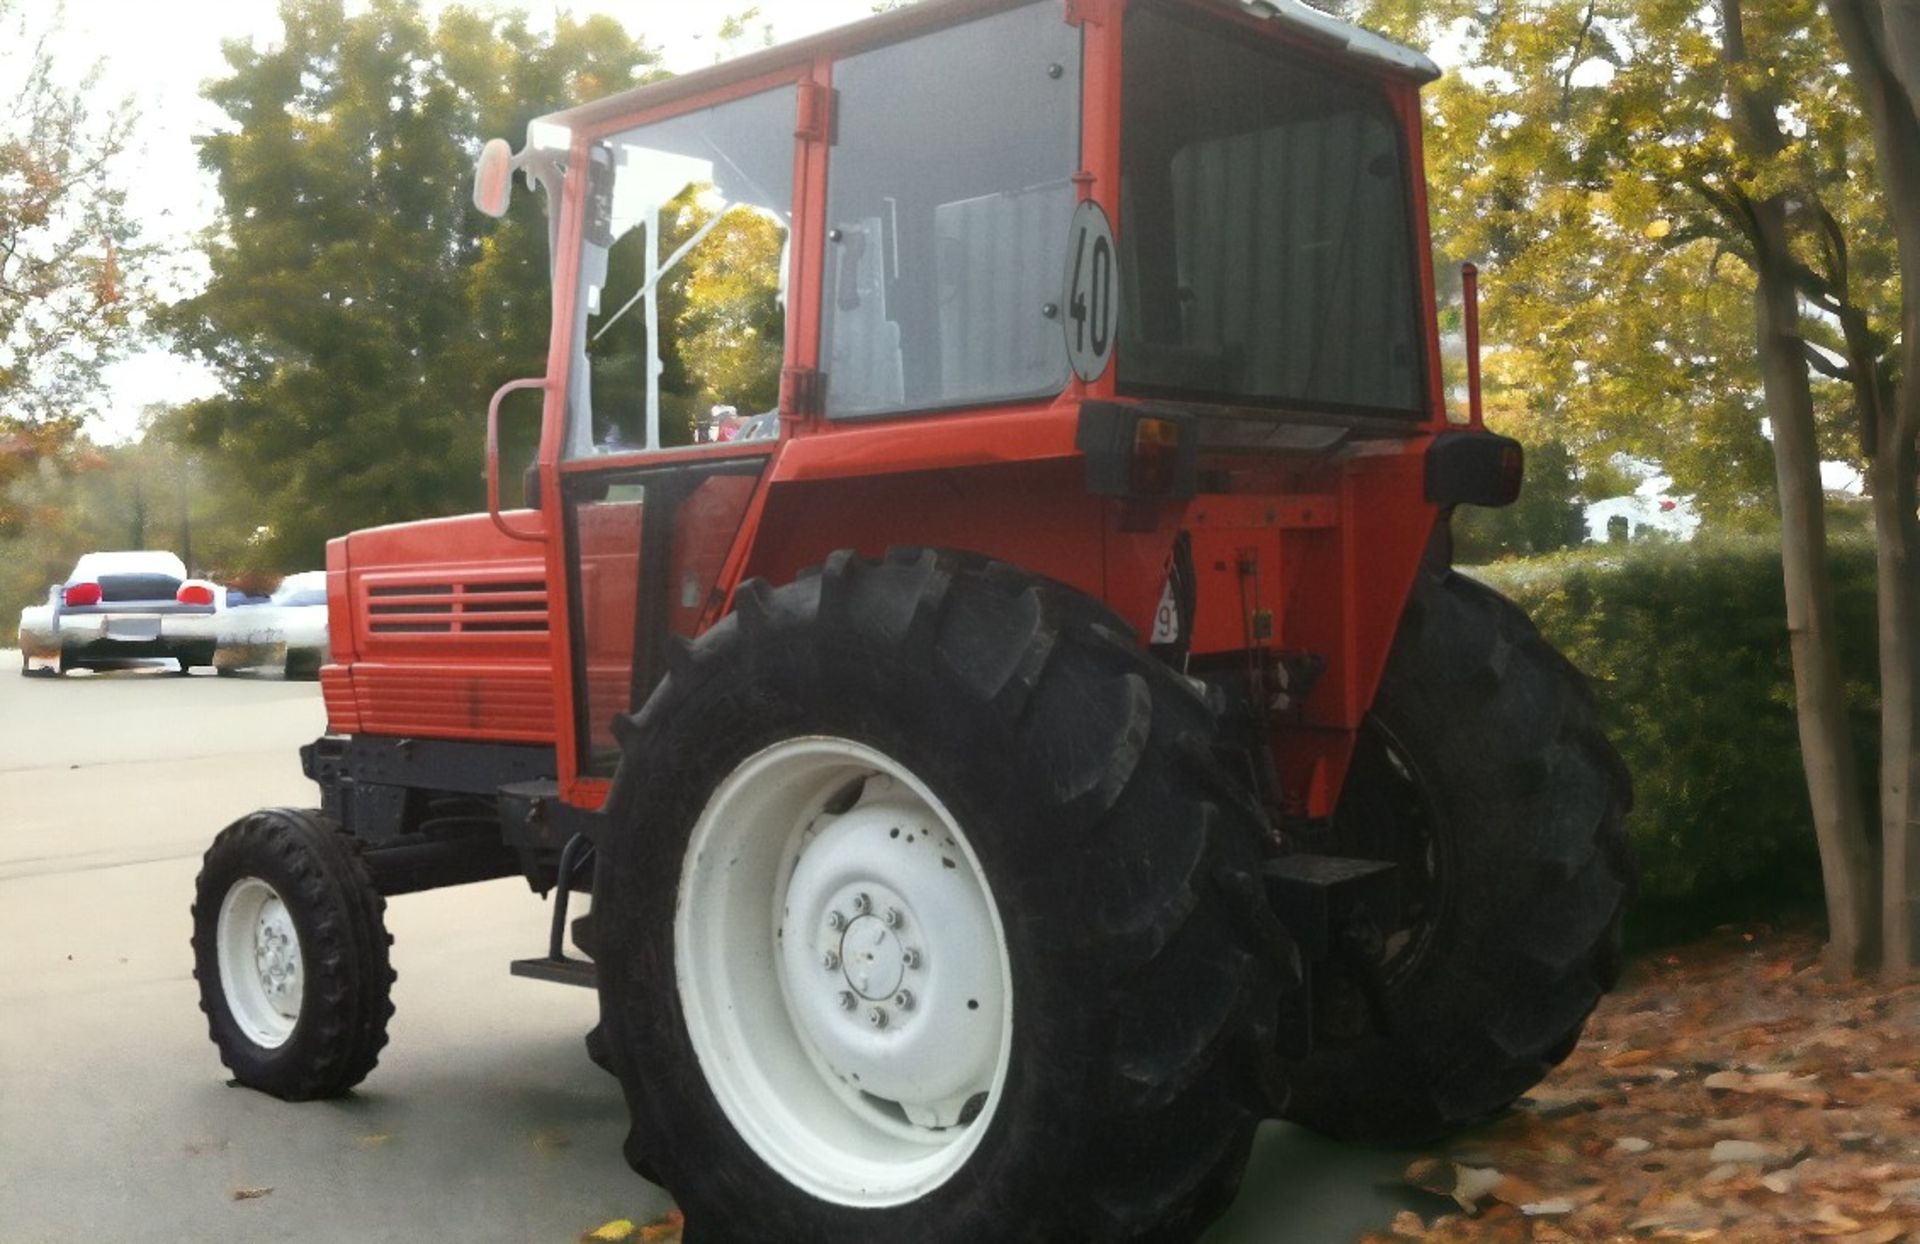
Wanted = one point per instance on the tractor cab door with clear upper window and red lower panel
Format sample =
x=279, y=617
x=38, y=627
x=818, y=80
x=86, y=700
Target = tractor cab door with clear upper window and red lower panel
x=679, y=341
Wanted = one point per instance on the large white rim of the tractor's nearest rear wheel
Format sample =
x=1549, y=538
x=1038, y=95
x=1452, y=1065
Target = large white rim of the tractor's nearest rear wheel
x=844, y=972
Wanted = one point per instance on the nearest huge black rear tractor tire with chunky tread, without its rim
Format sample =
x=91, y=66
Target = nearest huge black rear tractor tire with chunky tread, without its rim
x=1120, y=859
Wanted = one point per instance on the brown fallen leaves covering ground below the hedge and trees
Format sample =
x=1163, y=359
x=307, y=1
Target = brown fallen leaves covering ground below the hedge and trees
x=1727, y=1091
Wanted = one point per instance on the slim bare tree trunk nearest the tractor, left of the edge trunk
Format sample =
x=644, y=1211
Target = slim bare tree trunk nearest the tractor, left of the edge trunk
x=1819, y=690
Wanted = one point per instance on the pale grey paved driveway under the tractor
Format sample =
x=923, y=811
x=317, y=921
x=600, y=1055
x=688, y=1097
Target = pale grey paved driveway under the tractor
x=485, y=1118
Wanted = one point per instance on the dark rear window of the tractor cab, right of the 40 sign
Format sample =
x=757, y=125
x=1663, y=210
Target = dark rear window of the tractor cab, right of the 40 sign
x=1266, y=227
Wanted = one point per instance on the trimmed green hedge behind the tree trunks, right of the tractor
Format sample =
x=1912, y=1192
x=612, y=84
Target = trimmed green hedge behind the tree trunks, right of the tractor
x=1689, y=654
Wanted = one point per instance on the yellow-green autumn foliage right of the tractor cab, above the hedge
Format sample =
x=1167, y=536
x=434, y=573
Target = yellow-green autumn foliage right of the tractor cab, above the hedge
x=1587, y=156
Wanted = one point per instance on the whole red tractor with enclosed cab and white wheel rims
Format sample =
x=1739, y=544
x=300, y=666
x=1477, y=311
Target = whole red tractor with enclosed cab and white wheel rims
x=1032, y=730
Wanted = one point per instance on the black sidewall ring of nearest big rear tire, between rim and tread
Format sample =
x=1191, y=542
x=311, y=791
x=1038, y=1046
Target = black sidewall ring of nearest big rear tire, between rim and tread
x=961, y=755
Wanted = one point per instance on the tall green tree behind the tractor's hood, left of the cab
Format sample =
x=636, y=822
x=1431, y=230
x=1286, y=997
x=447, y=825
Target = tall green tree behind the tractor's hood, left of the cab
x=362, y=310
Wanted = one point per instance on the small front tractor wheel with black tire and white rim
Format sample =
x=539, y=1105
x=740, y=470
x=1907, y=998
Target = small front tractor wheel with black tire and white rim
x=291, y=951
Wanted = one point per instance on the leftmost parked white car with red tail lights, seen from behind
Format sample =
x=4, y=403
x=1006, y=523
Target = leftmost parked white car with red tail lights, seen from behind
x=122, y=610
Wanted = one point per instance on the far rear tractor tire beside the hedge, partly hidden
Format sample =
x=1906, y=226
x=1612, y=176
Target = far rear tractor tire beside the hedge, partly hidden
x=1485, y=775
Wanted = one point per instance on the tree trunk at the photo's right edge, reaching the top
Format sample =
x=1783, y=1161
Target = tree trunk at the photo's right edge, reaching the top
x=1883, y=47
